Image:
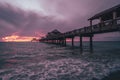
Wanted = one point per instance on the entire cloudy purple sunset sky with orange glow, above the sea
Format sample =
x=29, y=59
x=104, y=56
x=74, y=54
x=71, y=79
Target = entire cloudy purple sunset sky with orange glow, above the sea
x=22, y=19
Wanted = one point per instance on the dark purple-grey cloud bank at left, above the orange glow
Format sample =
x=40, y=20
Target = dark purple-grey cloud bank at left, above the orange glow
x=13, y=19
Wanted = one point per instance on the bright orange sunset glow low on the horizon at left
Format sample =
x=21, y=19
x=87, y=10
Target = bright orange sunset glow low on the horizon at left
x=16, y=38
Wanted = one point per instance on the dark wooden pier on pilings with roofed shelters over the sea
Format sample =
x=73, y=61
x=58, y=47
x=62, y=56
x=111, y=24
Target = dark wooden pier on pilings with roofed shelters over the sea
x=109, y=21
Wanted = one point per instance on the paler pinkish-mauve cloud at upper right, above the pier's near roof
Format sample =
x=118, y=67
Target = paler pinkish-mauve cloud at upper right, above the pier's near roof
x=76, y=12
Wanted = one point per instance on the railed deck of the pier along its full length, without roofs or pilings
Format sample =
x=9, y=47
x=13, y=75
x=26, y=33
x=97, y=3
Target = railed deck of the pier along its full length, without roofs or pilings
x=106, y=26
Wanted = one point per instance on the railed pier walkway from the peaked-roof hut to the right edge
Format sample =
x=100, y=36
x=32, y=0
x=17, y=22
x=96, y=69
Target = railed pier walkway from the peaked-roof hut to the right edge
x=107, y=26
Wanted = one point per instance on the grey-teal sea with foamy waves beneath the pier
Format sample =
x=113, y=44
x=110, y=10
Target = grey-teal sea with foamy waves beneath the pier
x=41, y=61
